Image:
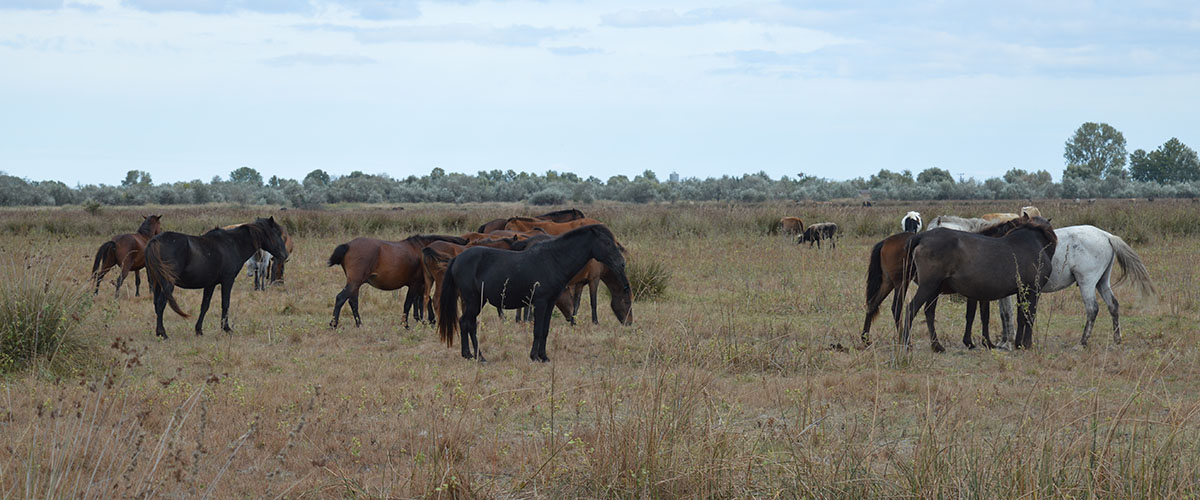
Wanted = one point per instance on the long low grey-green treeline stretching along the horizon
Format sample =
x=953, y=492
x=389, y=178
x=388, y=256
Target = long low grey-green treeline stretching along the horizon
x=245, y=186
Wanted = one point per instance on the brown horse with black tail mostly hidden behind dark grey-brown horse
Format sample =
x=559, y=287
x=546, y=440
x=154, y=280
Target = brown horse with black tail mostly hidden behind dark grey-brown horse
x=886, y=270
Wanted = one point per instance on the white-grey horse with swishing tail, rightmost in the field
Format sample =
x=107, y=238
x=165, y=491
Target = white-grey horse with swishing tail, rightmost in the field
x=1085, y=257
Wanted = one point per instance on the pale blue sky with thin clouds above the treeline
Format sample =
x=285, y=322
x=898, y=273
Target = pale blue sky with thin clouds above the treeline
x=193, y=89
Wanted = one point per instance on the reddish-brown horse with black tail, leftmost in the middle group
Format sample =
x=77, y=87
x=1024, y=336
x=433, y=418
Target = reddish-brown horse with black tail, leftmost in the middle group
x=386, y=266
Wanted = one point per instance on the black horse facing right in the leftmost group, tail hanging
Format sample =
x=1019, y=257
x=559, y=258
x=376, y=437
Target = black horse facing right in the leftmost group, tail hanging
x=176, y=260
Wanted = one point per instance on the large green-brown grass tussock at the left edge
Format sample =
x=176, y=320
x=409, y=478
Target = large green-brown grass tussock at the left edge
x=40, y=309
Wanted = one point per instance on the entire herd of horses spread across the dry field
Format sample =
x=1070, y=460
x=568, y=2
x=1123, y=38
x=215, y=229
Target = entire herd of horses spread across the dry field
x=538, y=264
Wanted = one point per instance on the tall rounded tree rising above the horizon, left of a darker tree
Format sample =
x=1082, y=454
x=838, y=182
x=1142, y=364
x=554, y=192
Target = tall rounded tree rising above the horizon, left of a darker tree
x=1095, y=152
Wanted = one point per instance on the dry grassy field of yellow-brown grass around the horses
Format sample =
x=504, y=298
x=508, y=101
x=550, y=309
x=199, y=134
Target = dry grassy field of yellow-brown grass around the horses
x=746, y=379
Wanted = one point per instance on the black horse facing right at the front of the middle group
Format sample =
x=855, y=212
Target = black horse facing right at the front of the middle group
x=513, y=280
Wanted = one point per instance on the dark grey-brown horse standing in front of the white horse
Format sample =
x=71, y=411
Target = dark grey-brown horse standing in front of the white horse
x=980, y=268
